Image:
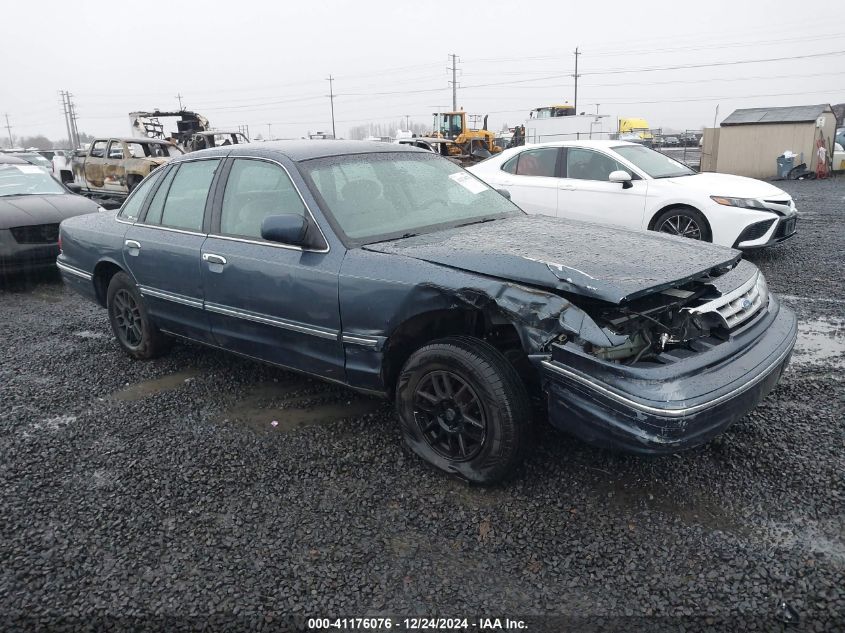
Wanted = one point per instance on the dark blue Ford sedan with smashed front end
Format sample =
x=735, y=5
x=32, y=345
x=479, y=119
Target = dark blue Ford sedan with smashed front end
x=395, y=272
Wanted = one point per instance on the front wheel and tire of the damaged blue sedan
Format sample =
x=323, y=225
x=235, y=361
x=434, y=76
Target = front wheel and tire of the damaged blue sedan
x=463, y=408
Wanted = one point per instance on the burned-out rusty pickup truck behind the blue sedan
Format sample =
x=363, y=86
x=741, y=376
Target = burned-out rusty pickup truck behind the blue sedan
x=114, y=167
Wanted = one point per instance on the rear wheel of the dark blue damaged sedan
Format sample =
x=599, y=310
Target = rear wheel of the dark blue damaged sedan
x=130, y=322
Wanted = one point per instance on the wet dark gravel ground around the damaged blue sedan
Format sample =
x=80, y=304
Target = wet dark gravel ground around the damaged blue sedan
x=135, y=491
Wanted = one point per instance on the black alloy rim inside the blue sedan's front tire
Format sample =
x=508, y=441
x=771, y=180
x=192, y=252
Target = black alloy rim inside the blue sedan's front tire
x=450, y=415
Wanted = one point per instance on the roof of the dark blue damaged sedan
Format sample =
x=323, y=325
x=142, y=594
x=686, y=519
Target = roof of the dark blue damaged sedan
x=306, y=149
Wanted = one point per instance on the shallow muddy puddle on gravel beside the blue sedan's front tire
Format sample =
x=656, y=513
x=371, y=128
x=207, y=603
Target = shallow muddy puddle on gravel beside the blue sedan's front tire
x=271, y=403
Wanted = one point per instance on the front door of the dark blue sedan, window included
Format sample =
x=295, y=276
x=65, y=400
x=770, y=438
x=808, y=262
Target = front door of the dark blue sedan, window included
x=271, y=301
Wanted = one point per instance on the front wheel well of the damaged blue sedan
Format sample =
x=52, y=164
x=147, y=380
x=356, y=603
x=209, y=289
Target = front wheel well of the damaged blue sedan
x=429, y=326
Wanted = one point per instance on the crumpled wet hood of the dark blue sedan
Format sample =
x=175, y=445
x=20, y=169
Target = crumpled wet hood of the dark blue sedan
x=592, y=260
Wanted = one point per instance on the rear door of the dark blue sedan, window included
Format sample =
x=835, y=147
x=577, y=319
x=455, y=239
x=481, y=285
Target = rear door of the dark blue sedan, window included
x=163, y=250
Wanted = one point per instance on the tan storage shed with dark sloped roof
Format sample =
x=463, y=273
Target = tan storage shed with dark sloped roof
x=750, y=140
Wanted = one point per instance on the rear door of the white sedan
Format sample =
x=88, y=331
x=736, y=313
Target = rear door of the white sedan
x=531, y=179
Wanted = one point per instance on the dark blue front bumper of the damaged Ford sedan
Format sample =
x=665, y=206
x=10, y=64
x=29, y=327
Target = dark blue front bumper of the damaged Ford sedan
x=672, y=407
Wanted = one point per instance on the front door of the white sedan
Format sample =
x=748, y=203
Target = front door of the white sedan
x=587, y=194
